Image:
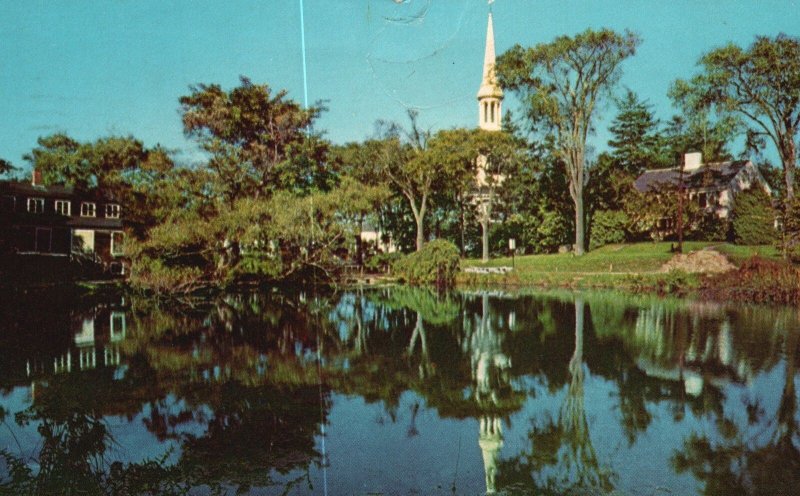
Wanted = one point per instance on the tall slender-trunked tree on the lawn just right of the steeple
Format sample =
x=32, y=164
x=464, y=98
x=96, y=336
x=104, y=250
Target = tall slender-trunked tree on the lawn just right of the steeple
x=562, y=83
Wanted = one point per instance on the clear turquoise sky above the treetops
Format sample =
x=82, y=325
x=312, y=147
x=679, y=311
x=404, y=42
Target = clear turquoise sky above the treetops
x=117, y=67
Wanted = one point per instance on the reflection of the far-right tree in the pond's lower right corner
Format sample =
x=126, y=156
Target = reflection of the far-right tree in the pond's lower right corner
x=761, y=458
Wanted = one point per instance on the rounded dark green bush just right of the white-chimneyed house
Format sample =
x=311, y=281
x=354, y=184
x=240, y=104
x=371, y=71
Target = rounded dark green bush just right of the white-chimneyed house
x=754, y=218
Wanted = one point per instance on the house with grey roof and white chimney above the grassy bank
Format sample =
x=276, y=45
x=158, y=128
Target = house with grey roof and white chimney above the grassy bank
x=712, y=186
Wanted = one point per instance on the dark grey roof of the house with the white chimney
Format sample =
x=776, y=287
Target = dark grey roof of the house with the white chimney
x=711, y=176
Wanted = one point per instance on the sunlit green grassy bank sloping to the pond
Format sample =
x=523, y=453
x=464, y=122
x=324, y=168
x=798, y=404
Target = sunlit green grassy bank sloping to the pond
x=628, y=266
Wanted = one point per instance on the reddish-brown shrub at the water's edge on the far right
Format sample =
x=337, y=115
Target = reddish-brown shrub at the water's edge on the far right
x=757, y=280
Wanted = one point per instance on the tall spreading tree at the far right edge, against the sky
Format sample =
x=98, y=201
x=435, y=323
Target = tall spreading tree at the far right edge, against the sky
x=760, y=84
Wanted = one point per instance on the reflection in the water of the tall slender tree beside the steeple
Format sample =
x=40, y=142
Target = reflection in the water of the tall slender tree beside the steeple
x=562, y=458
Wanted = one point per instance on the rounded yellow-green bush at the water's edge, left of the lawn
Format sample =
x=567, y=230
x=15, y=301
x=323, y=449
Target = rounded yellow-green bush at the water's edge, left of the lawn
x=437, y=263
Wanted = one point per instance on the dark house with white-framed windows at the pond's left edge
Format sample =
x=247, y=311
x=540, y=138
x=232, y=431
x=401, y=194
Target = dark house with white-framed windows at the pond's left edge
x=60, y=221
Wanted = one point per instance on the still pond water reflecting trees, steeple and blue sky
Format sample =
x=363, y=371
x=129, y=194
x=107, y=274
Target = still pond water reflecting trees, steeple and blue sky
x=398, y=391
